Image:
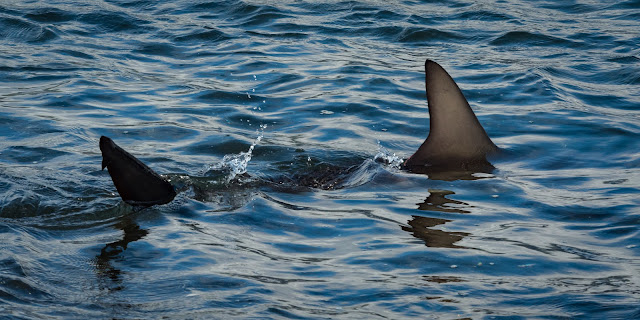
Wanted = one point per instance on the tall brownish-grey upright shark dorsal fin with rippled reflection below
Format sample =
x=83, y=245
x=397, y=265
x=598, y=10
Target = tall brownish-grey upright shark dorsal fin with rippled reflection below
x=456, y=138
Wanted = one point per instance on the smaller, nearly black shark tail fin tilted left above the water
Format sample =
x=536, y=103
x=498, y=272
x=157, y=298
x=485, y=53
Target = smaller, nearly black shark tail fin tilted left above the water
x=136, y=183
